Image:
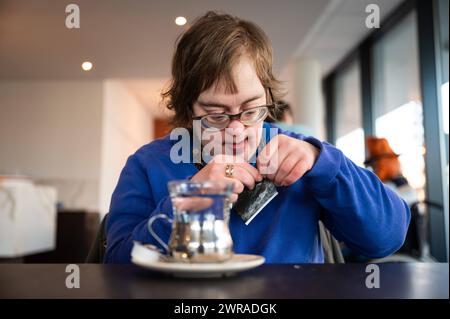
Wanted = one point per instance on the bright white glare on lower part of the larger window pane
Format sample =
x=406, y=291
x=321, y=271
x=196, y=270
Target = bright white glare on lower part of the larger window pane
x=403, y=128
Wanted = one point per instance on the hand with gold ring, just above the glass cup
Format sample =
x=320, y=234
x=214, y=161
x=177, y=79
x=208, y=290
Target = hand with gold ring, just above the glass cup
x=244, y=174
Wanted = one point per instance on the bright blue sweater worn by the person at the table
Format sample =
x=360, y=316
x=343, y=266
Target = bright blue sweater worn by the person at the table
x=351, y=201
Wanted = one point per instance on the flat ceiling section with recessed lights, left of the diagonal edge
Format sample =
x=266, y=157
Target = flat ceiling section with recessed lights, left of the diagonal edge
x=128, y=39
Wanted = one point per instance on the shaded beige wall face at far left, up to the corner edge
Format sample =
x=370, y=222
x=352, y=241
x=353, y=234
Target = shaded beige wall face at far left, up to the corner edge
x=50, y=130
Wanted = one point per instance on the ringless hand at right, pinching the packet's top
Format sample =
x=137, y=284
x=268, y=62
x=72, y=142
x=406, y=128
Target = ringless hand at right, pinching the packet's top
x=285, y=159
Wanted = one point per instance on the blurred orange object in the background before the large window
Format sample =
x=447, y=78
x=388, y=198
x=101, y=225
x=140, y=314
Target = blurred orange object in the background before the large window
x=382, y=158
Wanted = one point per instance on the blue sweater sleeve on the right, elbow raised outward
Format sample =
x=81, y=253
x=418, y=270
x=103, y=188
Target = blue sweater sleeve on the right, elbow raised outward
x=358, y=209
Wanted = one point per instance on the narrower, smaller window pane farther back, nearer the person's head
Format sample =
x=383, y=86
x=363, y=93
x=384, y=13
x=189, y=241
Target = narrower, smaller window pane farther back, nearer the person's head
x=349, y=131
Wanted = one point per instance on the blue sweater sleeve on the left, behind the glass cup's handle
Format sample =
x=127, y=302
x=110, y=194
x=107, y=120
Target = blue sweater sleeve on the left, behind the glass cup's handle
x=131, y=207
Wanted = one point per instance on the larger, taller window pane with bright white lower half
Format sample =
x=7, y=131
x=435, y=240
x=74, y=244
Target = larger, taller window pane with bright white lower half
x=397, y=105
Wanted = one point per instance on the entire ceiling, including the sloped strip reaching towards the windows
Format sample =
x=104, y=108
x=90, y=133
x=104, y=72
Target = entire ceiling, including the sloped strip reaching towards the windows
x=134, y=39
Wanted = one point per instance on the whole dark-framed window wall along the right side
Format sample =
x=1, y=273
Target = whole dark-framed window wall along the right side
x=393, y=84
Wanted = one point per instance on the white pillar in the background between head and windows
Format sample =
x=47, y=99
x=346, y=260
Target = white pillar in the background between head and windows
x=308, y=103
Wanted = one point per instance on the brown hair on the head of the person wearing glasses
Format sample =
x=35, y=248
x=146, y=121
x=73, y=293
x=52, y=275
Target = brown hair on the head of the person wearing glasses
x=205, y=55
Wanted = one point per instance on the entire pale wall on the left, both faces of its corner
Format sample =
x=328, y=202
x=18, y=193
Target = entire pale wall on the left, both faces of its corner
x=74, y=135
